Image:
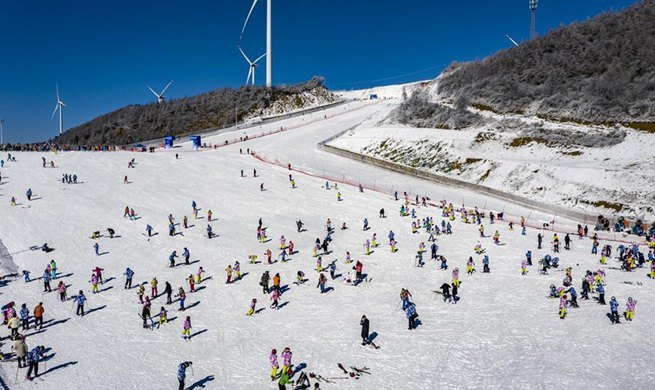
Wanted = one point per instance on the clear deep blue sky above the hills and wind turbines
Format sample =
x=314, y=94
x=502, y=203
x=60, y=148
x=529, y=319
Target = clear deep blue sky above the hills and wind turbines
x=105, y=53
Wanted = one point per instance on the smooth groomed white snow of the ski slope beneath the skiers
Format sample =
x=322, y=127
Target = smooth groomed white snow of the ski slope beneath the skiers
x=504, y=333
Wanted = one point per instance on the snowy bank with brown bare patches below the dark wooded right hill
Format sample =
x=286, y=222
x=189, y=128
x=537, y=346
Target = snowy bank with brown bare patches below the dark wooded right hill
x=590, y=168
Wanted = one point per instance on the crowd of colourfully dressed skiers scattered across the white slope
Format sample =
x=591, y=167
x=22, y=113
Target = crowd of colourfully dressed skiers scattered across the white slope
x=630, y=258
